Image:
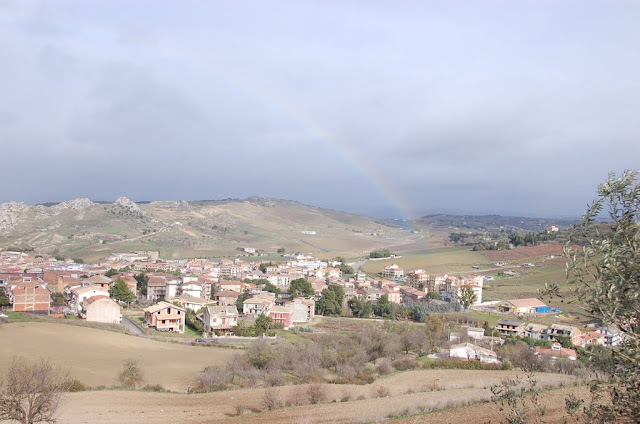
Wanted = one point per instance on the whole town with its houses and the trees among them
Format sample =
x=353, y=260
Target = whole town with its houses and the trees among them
x=223, y=299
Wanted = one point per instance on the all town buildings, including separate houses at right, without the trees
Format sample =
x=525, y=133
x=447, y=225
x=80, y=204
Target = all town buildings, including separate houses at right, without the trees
x=211, y=291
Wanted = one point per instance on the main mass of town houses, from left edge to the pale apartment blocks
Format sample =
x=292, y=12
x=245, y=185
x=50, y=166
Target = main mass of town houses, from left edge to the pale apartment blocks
x=200, y=285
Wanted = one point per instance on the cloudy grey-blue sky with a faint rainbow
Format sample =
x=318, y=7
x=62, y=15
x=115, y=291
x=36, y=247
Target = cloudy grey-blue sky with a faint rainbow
x=389, y=109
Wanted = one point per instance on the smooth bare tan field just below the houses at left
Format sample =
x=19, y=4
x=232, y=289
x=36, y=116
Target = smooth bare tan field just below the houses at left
x=95, y=356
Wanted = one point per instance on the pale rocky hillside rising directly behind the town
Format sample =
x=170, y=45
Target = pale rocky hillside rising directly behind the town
x=90, y=230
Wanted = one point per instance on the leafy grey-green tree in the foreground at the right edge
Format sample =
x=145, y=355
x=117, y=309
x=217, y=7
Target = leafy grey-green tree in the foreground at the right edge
x=605, y=276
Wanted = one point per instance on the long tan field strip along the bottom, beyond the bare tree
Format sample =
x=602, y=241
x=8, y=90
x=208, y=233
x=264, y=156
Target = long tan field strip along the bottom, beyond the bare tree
x=453, y=388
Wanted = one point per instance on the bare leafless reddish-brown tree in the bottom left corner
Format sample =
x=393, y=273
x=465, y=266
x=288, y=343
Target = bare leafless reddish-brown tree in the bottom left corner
x=30, y=392
